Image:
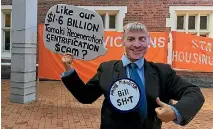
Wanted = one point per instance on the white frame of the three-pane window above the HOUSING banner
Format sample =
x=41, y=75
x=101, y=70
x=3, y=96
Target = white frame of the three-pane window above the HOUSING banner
x=189, y=11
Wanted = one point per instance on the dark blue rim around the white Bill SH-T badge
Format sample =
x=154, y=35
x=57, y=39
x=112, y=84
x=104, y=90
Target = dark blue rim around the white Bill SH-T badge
x=122, y=111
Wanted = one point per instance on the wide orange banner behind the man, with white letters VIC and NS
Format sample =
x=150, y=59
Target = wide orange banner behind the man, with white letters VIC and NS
x=50, y=65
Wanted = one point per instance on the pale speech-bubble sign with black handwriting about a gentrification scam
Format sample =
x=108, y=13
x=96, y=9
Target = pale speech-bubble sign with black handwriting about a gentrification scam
x=74, y=30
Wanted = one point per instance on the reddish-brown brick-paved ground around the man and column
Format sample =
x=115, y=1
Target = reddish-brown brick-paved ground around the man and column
x=55, y=108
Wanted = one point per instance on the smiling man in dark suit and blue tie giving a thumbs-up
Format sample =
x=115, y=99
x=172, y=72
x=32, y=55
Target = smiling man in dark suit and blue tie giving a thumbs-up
x=159, y=82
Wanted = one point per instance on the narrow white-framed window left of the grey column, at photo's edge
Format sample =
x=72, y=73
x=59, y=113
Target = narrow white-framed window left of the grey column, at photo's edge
x=6, y=31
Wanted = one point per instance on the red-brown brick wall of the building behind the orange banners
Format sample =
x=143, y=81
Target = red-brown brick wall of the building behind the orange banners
x=152, y=13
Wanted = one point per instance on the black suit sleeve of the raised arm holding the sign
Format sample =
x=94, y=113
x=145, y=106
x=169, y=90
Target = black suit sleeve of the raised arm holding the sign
x=84, y=93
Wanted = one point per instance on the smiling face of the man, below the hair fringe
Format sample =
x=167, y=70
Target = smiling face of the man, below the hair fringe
x=136, y=44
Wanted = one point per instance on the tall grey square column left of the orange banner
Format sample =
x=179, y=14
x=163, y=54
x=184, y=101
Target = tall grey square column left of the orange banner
x=23, y=56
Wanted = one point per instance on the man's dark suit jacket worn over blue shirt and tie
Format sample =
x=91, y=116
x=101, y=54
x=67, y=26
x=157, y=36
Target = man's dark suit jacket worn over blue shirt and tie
x=160, y=81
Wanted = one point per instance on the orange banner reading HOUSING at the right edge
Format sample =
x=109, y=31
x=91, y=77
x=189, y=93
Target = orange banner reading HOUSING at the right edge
x=192, y=52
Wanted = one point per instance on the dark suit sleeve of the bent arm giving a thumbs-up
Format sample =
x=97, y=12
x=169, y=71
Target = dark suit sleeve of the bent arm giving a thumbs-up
x=190, y=98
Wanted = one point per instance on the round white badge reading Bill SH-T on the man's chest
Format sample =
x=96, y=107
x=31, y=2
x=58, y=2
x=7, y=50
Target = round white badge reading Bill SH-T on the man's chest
x=124, y=95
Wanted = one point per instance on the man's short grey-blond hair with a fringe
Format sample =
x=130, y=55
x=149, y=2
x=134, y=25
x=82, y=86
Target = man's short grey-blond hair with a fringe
x=135, y=26
